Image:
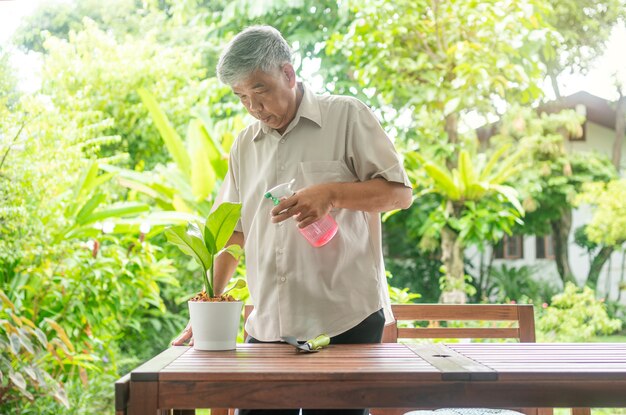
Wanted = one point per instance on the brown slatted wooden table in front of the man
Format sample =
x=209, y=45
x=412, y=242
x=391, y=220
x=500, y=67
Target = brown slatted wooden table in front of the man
x=383, y=375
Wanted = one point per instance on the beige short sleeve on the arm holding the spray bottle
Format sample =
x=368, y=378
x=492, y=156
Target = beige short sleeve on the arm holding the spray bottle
x=370, y=152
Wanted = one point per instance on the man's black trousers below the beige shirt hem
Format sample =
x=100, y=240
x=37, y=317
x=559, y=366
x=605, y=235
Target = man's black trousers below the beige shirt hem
x=369, y=330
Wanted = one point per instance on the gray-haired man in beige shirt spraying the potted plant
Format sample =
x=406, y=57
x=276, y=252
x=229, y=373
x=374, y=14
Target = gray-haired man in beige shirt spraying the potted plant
x=344, y=165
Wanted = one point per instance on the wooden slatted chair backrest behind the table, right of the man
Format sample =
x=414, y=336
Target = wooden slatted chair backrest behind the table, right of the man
x=521, y=317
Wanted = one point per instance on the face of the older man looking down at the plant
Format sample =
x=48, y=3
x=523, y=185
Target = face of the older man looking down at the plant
x=270, y=96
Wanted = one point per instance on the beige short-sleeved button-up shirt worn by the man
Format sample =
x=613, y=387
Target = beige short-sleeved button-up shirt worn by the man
x=297, y=289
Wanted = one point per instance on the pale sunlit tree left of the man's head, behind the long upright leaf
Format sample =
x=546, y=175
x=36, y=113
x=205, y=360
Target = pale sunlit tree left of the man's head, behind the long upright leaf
x=93, y=73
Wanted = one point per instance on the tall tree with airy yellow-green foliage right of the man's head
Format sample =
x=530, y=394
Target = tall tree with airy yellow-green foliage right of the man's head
x=438, y=62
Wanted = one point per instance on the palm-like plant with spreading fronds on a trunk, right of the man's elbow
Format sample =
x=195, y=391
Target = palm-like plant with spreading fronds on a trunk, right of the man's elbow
x=475, y=206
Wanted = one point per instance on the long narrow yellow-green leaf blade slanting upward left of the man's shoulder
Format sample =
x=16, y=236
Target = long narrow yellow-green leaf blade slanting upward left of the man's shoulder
x=172, y=140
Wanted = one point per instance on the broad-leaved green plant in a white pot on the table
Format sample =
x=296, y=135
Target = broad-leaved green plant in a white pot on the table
x=214, y=319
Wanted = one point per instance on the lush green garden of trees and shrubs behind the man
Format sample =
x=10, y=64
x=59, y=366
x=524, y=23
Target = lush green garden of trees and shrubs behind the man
x=127, y=132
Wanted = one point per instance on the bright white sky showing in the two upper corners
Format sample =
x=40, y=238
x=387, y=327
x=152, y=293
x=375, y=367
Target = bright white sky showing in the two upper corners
x=599, y=81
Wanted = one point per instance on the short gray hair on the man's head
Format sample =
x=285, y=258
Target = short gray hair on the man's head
x=256, y=48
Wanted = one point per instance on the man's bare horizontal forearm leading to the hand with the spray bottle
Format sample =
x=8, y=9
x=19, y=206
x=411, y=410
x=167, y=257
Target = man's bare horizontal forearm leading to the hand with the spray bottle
x=376, y=195
